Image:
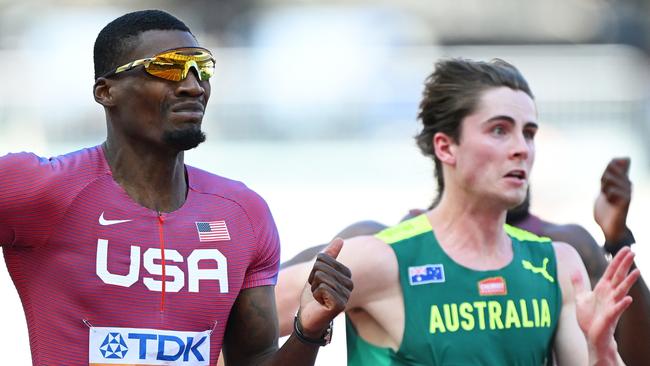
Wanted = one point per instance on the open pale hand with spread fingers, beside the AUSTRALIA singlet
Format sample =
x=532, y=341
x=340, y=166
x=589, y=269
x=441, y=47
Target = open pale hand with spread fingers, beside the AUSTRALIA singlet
x=599, y=310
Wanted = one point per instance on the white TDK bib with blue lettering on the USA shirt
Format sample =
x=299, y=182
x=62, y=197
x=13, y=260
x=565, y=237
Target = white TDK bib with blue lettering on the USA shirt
x=126, y=346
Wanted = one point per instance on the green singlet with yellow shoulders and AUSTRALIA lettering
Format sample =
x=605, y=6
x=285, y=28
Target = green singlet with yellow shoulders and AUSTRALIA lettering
x=458, y=316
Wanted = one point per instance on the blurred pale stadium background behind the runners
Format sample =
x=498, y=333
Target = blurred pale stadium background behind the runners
x=314, y=102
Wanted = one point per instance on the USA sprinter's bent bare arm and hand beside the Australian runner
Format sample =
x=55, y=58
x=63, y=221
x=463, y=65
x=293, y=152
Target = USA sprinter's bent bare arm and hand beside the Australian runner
x=252, y=331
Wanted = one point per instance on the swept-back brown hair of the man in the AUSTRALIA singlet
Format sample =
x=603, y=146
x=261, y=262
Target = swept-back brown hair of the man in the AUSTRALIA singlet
x=452, y=92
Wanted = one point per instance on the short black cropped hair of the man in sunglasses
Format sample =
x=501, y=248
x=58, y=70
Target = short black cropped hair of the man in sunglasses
x=118, y=37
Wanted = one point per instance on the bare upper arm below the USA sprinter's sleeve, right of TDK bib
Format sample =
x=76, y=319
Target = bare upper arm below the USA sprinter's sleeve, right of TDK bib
x=252, y=330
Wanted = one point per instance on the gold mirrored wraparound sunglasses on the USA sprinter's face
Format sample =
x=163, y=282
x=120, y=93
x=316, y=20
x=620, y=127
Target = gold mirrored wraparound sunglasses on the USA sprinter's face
x=174, y=64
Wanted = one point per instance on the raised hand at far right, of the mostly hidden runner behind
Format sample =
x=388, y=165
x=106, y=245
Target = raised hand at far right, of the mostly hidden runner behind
x=613, y=202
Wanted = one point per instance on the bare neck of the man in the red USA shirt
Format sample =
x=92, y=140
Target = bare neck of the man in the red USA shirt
x=152, y=178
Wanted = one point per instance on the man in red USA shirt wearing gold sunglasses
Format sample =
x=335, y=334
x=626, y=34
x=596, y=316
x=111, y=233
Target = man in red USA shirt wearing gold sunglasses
x=122, y=254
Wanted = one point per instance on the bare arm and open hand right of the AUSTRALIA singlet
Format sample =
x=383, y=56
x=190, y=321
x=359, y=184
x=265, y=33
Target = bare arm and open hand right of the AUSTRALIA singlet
x=588, y=319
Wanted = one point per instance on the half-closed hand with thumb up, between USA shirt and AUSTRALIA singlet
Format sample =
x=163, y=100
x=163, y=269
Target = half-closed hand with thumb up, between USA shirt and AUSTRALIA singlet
x=327, y=291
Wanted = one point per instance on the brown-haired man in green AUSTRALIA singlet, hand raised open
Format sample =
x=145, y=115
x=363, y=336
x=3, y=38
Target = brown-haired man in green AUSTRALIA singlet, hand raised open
x=456, y=285
